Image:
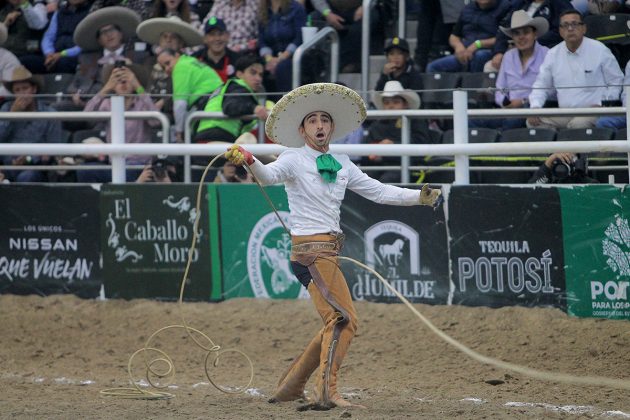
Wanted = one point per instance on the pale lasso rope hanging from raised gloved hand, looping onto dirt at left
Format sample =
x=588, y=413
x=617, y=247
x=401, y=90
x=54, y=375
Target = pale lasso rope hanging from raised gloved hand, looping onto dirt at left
x=161, y=365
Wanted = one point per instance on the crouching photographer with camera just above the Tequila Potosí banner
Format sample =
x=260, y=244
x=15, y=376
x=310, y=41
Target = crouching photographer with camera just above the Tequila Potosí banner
x=563, y=168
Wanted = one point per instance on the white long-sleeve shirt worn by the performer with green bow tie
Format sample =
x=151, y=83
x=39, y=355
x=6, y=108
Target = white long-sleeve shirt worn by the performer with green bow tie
x=314, y=204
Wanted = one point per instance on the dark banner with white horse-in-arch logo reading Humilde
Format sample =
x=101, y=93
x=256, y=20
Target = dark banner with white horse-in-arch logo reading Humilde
x=405, y=245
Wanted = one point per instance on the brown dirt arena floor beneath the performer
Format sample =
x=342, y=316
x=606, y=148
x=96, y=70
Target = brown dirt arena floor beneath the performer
x=59, y=352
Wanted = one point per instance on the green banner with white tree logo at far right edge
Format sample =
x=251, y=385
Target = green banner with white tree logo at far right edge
x=597, y=250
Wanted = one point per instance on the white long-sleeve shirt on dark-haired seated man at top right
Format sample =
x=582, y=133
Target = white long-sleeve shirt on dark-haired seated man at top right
x=592, y=64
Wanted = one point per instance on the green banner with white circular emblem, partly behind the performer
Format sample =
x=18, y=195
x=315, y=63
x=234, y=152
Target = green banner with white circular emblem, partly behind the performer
x=255, y=248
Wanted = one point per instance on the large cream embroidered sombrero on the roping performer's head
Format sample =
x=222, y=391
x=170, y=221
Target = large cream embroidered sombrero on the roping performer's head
x=344, y=105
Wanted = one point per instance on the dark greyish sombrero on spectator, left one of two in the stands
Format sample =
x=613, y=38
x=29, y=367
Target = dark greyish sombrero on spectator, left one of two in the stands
x=87, y=31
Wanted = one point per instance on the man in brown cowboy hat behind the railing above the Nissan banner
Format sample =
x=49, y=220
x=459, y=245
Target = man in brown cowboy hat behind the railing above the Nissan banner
x=25, y=86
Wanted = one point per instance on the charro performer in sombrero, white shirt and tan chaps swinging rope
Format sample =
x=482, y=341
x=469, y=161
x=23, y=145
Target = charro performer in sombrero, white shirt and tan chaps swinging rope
x=306, y=120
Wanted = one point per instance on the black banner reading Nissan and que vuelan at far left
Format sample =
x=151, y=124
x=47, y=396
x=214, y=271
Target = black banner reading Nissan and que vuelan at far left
x=49, y=240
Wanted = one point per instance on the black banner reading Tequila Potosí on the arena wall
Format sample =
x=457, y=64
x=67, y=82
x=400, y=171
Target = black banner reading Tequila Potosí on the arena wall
x=506, y=246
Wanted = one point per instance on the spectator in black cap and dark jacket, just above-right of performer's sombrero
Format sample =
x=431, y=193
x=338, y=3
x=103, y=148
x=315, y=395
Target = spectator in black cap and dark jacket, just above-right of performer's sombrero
x=399, y=66
